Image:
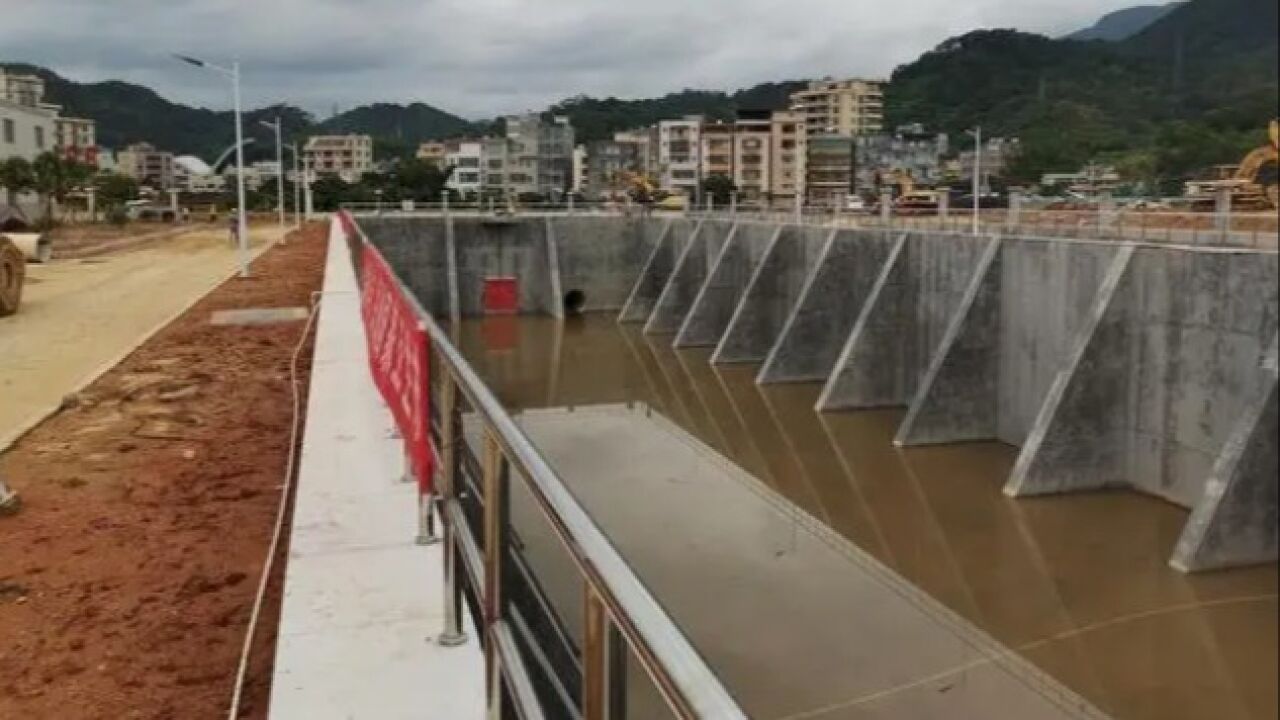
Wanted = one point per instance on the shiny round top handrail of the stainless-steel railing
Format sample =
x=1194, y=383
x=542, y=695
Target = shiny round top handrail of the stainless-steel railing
x=639, y=616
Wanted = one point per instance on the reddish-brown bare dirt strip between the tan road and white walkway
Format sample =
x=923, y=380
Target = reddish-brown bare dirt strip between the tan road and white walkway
x=127, y=580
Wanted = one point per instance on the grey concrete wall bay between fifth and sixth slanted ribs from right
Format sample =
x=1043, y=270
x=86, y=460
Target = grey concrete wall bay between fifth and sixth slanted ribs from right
x=772, y=293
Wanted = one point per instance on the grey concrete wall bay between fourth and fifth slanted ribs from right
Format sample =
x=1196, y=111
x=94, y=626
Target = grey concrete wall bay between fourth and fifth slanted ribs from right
x=830, y=303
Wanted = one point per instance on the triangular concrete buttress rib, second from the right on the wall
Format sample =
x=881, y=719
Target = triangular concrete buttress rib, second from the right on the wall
x=1077, y=443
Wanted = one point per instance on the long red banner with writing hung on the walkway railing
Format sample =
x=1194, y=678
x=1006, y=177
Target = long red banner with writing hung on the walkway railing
x=397, y=358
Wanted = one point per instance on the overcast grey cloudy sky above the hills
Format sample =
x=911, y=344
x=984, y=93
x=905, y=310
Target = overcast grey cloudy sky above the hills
x=482, y=58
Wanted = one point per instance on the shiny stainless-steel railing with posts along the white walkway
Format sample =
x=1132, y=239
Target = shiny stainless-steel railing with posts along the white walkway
x=483, y=567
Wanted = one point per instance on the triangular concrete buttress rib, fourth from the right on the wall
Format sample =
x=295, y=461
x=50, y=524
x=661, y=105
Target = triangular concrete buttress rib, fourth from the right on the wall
x=872, y=363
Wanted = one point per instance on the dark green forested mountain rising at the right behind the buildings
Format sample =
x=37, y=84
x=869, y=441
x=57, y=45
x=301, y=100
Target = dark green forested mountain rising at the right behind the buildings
x=1195, y=89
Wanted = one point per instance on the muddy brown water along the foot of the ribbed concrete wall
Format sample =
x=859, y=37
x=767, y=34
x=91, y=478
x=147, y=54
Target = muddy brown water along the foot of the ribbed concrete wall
x=1078, y=585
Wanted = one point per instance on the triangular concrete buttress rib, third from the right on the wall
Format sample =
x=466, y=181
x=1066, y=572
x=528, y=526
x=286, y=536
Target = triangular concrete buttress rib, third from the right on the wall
x=958, y=398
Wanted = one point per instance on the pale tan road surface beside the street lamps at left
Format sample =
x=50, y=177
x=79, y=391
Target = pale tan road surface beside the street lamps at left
x=80, y=317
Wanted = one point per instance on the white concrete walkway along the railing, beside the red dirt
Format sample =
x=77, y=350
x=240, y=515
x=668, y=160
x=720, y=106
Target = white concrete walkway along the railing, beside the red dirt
x=362, y=601
